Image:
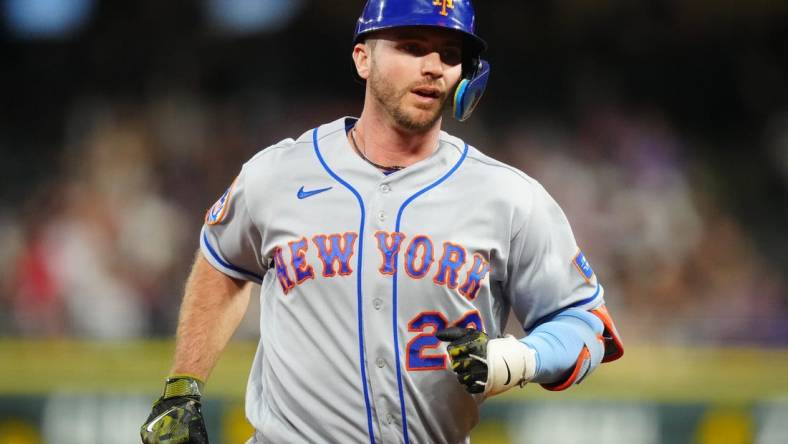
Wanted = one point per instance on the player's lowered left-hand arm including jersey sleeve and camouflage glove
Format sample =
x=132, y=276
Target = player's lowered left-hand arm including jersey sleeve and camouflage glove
x=213, y=305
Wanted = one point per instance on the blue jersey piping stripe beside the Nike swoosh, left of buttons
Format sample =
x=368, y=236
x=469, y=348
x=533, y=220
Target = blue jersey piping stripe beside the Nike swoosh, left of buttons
x=359, y=293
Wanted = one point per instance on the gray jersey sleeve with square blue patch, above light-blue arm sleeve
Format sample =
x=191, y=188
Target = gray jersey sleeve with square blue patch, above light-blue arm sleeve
x=547, y=271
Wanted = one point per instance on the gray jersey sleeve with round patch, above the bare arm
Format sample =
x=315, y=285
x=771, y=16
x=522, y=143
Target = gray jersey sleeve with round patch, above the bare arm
x=230, y=240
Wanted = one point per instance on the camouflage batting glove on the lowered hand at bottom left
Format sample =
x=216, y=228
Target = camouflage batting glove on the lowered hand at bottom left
x=176, y=417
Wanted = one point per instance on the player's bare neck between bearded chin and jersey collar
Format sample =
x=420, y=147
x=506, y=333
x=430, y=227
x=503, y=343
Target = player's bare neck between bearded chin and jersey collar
x=385, y=143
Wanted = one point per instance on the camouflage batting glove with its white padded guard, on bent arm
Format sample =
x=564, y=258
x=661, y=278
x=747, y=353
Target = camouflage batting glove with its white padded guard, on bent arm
x=488, y=366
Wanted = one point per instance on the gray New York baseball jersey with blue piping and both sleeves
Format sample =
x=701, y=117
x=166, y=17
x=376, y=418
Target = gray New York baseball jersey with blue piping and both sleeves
x=360, y=269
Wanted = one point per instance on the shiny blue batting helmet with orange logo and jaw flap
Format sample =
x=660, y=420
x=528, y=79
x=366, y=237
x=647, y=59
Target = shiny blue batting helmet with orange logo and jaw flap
x=457, y=15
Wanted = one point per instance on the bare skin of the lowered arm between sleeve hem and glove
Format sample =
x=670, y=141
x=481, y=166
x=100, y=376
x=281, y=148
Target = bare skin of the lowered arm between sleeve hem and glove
x=212, y=308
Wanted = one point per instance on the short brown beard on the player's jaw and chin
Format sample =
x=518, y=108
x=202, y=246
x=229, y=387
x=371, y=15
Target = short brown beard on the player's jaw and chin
x=391, y=99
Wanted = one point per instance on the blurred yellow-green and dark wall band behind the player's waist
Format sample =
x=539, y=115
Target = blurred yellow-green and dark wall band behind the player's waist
x=95, y=392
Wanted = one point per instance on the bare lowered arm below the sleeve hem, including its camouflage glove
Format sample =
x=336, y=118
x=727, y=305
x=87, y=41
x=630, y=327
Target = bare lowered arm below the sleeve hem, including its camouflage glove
x=212, y=308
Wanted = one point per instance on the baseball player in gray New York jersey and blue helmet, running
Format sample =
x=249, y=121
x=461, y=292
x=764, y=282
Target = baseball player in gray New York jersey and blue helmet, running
x=390, y=255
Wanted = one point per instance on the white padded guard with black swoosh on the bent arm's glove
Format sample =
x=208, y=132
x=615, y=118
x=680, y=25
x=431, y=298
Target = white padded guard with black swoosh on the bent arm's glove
x=509, y=363
